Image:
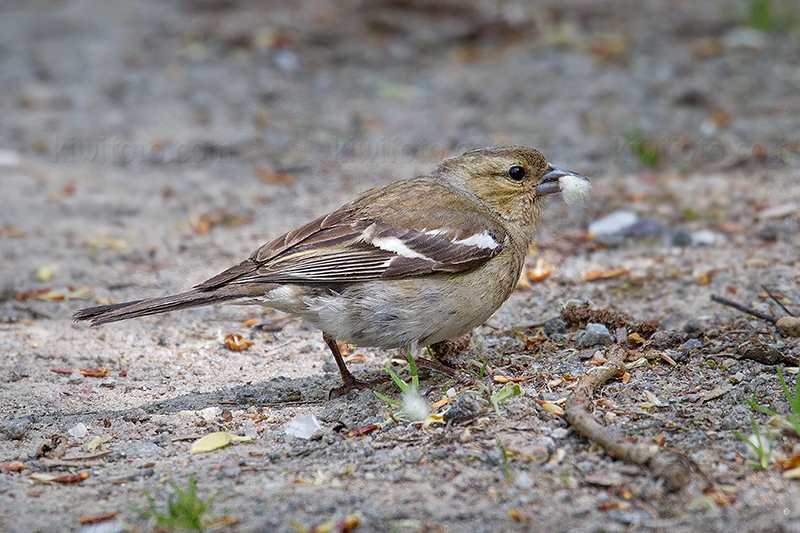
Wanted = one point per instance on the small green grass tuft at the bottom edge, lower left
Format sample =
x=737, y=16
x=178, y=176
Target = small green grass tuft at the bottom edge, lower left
x=185, y=509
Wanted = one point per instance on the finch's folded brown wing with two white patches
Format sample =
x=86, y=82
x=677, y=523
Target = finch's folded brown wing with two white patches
x=341, y=248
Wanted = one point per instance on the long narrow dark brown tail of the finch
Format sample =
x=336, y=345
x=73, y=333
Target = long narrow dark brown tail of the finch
x=104, y=314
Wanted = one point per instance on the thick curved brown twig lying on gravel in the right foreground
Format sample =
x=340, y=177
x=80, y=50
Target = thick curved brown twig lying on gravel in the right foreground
x=672, y=467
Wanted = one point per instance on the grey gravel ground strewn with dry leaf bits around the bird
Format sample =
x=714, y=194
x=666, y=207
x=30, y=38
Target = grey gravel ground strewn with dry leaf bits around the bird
x=146, y=146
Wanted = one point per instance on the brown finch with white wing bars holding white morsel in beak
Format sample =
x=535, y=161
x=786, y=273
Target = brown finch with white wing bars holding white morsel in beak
x=417, y=262
